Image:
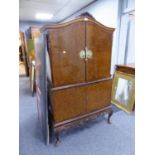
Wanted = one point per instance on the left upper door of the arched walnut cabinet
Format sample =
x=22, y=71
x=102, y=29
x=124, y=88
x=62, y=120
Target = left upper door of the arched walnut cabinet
x=65, y=44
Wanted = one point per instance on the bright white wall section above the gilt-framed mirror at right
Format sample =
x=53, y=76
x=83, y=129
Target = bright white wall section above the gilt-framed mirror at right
x=126, y=36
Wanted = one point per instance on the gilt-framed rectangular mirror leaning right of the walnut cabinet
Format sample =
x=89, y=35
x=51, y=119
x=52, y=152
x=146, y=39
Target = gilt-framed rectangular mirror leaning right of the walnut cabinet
x=123, y=91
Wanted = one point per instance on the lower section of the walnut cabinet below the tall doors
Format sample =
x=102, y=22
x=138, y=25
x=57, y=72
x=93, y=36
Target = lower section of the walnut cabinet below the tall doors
x=75, y=105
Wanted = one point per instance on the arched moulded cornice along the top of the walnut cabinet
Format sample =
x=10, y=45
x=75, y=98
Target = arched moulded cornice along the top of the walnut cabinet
x=81, y=19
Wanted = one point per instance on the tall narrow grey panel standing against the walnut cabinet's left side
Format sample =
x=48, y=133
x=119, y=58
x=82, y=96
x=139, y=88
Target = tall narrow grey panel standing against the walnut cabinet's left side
x=41, y=88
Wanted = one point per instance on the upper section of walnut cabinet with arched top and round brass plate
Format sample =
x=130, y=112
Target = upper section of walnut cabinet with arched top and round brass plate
x=79, y=51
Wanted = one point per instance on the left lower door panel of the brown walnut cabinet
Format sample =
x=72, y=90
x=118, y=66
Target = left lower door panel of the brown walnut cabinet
x=68, y=103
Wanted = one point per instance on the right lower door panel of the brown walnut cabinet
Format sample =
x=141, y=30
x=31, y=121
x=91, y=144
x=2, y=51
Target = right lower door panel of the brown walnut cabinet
x=99, y=95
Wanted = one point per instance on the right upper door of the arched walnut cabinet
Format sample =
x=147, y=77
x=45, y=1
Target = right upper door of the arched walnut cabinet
x=98, y=43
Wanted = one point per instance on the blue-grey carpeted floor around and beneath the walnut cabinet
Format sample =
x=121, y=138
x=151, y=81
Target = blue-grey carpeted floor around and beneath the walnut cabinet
x=95, y=138
